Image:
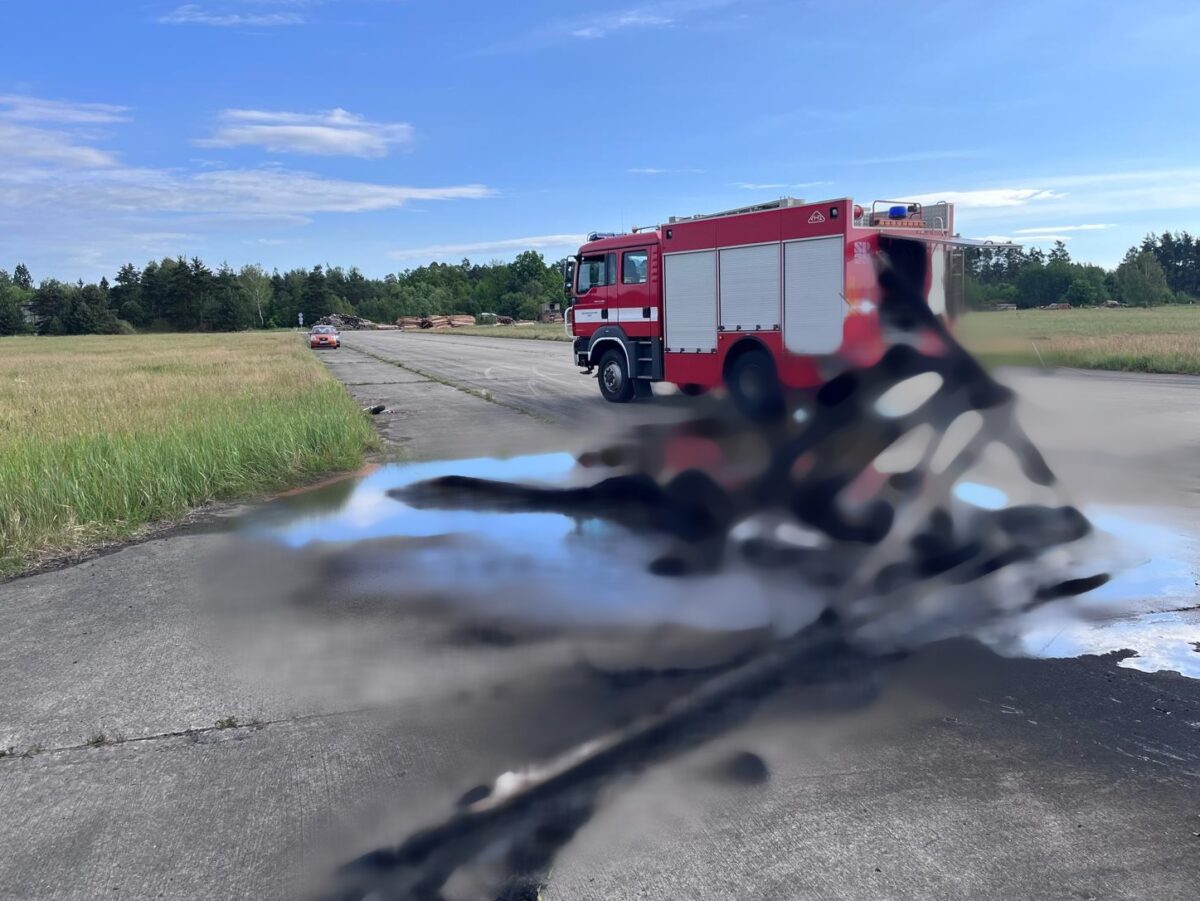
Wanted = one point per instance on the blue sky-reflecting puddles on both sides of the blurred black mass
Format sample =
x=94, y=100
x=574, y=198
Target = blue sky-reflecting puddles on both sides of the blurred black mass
x=1142, y=609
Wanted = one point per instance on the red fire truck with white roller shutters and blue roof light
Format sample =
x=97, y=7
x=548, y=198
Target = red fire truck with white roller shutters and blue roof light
x=749, y=298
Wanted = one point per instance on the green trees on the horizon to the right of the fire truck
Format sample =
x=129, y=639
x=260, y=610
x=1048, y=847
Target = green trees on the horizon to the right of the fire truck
x=1163, y=269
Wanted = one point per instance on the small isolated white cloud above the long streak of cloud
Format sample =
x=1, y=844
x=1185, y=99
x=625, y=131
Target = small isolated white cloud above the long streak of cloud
x=334, y=133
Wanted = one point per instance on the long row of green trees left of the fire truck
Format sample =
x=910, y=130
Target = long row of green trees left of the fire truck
x=188, y=296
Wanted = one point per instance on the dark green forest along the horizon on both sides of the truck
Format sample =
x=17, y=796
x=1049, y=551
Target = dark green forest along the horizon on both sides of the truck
x=188, y=296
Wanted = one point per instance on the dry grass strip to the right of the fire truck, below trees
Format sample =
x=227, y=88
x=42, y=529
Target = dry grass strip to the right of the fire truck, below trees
x=1159, y=340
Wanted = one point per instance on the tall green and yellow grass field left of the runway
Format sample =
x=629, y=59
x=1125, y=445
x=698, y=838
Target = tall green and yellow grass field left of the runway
x=100, y=436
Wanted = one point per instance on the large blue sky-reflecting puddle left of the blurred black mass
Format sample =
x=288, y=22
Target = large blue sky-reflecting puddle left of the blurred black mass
x=538, y=568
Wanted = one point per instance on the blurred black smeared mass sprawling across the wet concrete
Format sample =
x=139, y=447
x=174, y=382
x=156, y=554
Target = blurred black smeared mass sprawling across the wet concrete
x=801, y=495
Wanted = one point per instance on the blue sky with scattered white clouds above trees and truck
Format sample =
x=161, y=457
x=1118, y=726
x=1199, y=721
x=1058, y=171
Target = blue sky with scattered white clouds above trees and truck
x=388, y=134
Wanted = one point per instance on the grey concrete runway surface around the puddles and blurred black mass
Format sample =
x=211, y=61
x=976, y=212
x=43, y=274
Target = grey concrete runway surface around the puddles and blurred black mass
x=970, y=777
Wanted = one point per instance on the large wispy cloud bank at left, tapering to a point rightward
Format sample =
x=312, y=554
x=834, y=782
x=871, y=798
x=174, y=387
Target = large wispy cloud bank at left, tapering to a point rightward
x=74, y=201
